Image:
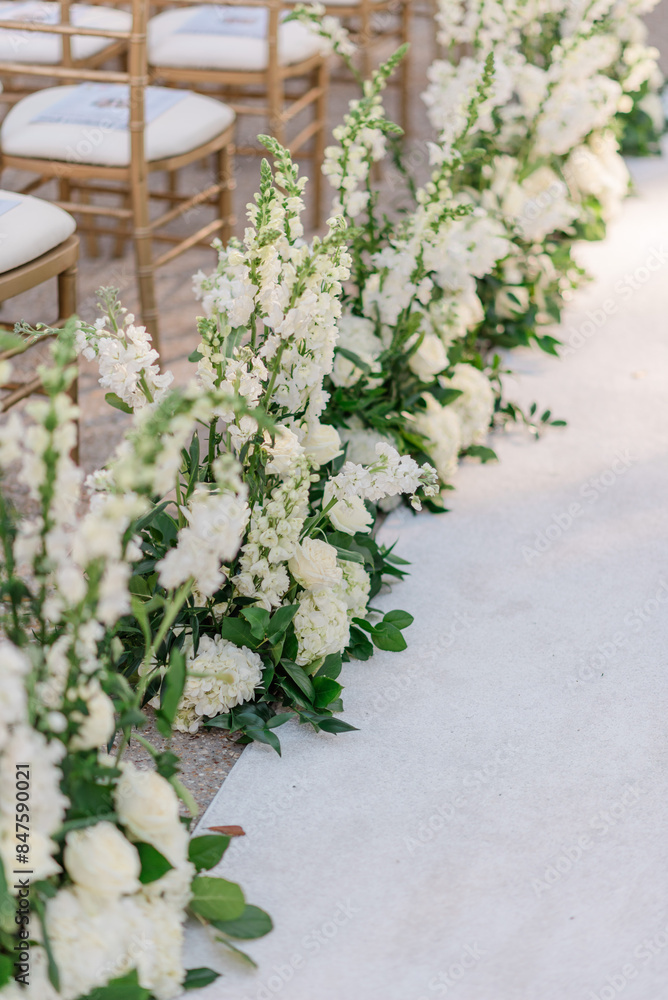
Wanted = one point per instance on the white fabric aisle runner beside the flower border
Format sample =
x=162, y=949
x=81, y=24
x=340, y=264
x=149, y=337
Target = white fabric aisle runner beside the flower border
x=497, y=829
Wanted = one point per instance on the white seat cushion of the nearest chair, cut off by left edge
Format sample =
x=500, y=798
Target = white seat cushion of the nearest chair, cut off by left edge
x=29, y=228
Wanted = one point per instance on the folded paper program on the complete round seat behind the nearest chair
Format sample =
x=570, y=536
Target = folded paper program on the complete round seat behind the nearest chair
x=107, y=105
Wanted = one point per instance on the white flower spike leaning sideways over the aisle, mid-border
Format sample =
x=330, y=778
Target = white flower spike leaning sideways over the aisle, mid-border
x=389, y=475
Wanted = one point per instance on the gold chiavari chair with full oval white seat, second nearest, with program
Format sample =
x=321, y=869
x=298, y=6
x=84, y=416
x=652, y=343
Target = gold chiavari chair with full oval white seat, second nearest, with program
x=106, y=132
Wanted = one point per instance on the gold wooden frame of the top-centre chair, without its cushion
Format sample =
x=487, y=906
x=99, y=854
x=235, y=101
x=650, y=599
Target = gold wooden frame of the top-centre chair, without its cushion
x=268, y=88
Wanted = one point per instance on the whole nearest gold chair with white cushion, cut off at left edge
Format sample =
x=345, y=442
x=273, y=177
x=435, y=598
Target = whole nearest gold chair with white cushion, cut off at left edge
x=37, y=243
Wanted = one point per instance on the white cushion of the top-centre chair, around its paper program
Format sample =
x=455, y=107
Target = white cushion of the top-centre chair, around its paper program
x=170, y=45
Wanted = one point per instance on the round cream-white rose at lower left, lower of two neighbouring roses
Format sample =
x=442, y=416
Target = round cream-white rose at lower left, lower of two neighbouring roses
x=100, y=860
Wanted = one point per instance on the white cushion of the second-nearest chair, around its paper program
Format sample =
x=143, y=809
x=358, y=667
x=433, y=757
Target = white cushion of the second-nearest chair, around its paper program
x=191, y=122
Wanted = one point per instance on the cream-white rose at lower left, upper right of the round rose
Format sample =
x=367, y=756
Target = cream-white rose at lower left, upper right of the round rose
x=148, y=808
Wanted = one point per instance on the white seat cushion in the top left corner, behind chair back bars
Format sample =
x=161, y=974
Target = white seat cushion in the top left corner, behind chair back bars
x=35, y=47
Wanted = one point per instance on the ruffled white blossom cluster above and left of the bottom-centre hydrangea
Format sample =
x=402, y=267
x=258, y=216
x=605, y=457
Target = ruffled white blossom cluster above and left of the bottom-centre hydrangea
x=209, y=542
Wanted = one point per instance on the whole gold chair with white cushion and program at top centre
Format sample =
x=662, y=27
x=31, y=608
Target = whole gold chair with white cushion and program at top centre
x=242, y=51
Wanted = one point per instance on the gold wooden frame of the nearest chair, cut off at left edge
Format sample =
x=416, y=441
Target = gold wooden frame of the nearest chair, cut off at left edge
x=60, y=263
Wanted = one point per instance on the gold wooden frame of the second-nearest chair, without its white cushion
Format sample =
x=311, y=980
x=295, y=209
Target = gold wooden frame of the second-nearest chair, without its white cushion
x=132, y=180
